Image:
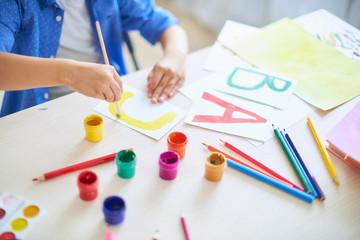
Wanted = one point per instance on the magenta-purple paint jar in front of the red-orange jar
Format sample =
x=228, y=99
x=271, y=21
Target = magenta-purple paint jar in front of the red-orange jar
x=168, y=165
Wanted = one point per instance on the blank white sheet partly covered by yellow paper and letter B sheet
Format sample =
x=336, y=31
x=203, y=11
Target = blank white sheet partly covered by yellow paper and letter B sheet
x=222, y=59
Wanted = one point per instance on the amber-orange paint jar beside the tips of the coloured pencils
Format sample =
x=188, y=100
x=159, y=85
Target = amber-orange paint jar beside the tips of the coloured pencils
x=214, y=166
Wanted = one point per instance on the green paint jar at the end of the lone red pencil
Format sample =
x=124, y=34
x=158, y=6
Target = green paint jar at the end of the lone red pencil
x=126, y=162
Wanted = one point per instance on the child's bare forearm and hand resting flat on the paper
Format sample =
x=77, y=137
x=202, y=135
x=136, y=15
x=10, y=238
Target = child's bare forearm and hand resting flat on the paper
x=168, y=75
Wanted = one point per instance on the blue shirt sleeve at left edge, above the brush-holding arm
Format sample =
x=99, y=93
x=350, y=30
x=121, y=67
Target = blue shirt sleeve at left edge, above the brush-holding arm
x=9, y=24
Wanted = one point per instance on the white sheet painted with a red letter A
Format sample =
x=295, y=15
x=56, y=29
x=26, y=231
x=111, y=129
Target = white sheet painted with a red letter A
x=233, y=115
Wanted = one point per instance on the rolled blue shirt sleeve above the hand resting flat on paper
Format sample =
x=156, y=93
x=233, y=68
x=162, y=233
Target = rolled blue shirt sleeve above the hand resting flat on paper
x=145, y=16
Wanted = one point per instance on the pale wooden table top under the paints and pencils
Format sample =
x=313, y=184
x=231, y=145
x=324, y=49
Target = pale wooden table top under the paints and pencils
x=51, y=136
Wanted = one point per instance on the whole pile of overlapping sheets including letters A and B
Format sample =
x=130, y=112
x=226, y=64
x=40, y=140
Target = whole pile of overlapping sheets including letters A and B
x=297, y=70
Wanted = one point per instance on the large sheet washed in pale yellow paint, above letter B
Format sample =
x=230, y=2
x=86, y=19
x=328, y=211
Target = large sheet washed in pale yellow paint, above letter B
x=326, y=77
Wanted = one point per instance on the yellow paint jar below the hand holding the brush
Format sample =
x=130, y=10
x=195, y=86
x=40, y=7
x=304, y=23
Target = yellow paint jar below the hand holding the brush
x=94, y=128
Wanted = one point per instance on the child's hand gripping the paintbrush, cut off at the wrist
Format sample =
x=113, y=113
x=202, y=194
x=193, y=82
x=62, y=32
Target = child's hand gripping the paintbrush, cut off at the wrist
x=95, y=80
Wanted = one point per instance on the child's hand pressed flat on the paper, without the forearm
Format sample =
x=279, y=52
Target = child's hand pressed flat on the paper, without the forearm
x=166, y=78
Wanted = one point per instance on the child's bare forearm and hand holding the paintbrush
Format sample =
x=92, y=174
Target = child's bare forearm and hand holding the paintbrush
x=94, y=80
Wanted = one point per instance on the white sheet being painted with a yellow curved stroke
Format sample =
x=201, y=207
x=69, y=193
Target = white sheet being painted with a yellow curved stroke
x=138, y=113
